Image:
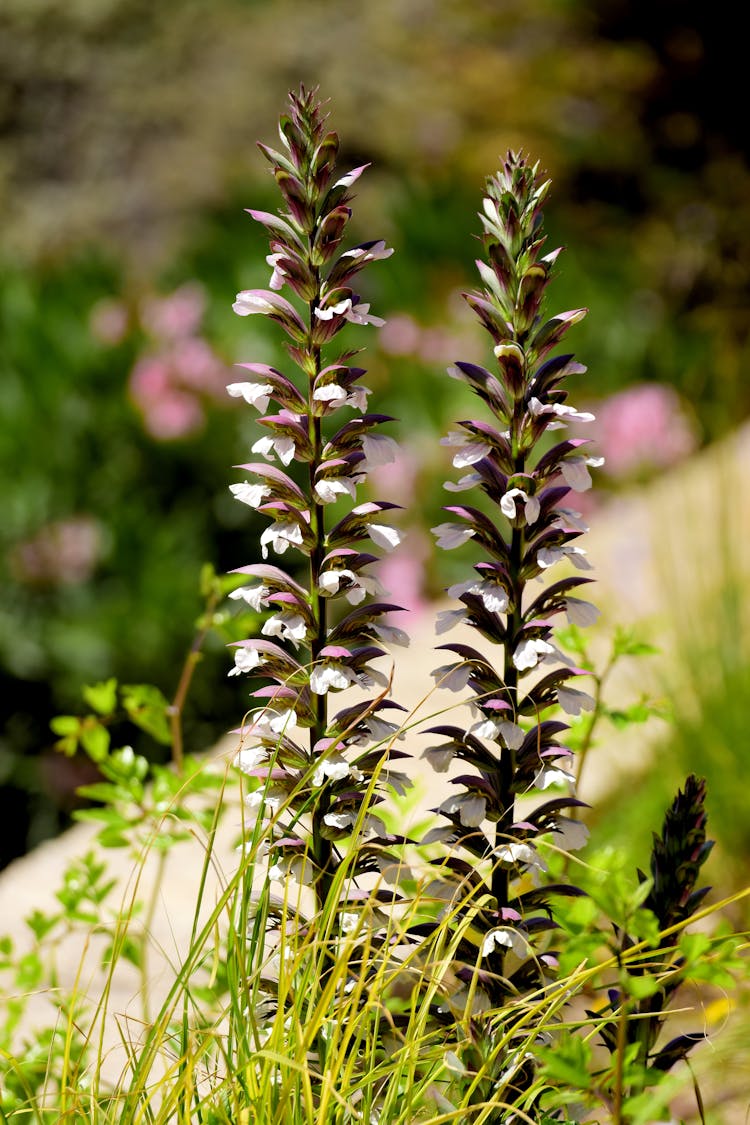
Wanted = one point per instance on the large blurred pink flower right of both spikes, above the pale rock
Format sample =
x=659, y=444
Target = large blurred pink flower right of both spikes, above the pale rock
x=644, y=428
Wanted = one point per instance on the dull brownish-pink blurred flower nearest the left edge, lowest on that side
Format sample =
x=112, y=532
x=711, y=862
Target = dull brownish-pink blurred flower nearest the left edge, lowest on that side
x=61, y=554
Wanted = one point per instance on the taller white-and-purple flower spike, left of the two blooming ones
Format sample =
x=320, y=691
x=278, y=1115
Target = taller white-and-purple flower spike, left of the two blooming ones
x=310, y=460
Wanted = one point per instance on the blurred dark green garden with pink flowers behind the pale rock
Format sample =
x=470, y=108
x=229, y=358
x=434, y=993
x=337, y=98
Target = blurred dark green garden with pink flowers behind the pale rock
x=128, y=152
